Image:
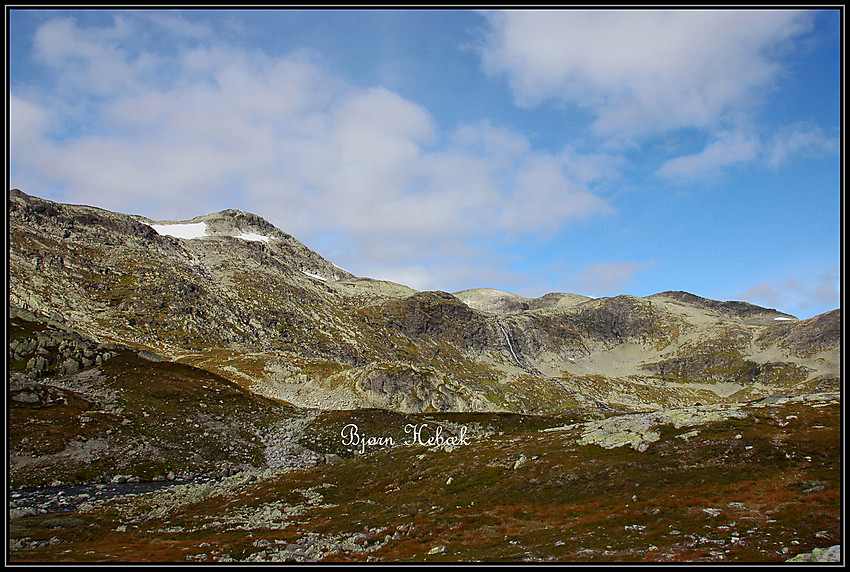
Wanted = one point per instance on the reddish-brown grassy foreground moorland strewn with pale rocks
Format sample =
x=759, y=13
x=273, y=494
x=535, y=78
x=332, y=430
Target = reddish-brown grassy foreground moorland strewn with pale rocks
x=748, y=482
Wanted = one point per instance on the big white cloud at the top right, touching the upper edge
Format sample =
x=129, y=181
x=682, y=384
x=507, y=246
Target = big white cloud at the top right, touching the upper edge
x=642, y=71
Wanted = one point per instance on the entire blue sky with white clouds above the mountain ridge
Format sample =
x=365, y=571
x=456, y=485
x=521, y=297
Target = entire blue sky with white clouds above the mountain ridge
x=593, y=152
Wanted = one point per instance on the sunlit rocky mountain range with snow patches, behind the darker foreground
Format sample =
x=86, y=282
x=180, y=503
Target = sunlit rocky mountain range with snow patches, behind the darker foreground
x=231, y=294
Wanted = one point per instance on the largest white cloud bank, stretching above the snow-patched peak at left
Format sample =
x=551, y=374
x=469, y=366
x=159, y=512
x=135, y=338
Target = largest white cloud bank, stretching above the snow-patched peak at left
x=295, y=144
